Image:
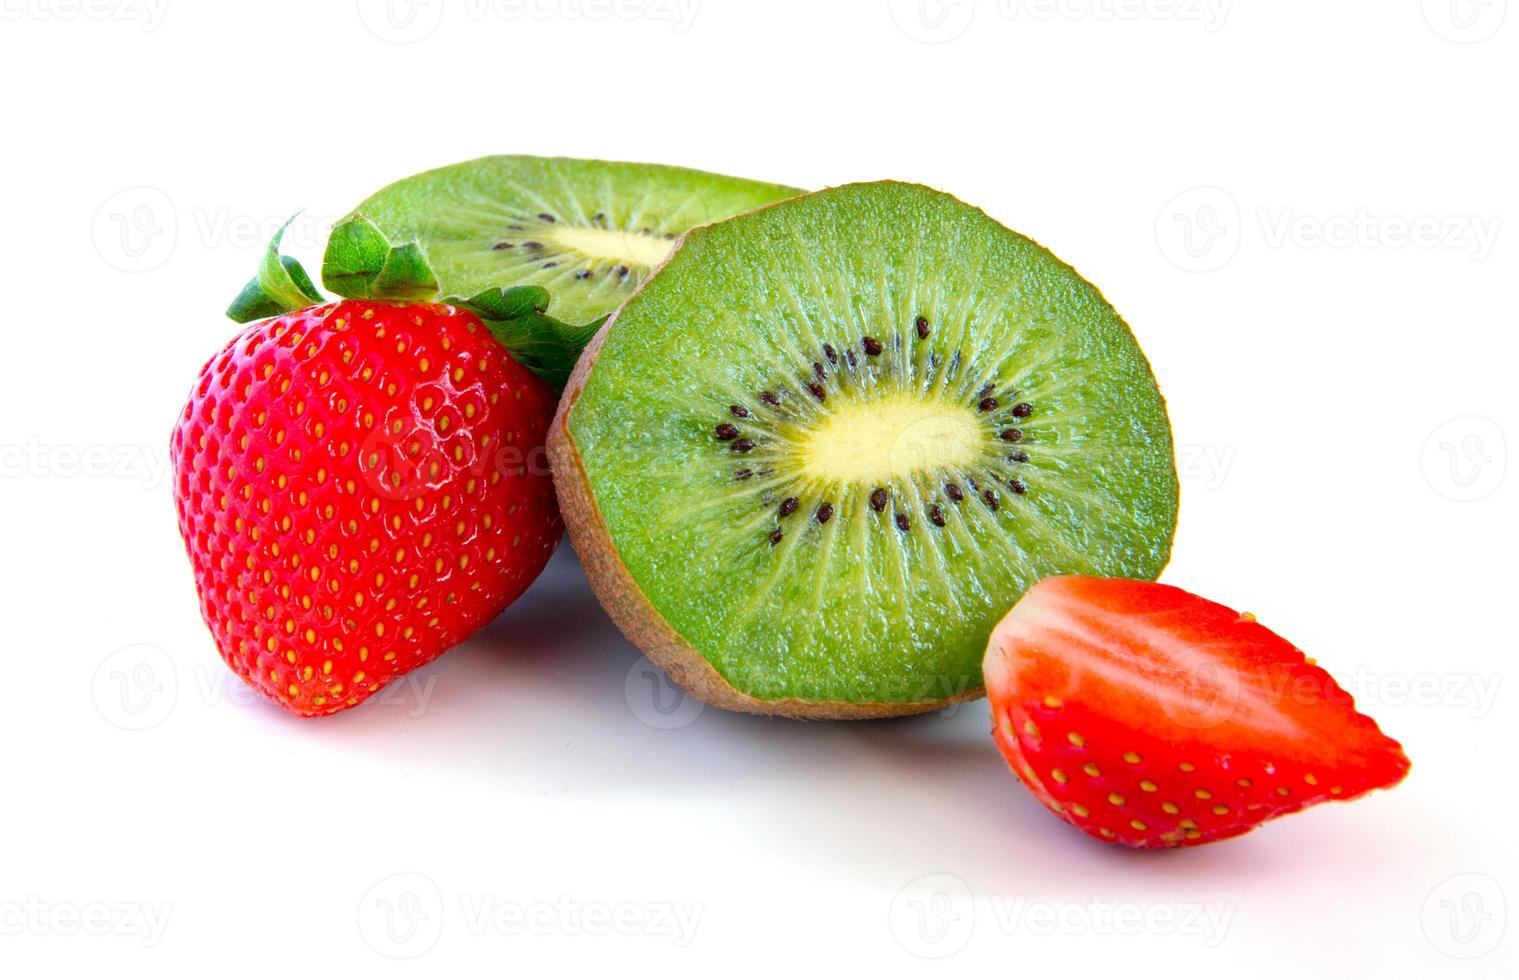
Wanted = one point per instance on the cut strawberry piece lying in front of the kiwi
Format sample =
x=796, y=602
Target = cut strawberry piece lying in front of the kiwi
x=1152, y=718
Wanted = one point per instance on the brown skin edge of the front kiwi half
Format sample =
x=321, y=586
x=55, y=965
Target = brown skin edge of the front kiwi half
x=634, y=615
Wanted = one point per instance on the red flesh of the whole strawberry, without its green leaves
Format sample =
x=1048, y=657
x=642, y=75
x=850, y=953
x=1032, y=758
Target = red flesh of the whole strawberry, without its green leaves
x=361, y=487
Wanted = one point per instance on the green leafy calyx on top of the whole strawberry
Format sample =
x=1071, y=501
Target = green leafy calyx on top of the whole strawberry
x=361, y=264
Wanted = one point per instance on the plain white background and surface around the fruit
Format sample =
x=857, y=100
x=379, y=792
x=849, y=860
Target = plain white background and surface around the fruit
x=1307, y=212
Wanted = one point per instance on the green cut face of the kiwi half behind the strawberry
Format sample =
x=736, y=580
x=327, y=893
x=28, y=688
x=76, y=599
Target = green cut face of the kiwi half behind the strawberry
x=589, y=232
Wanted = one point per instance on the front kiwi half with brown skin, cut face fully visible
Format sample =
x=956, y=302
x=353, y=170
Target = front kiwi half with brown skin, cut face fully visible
x=816, y=458
